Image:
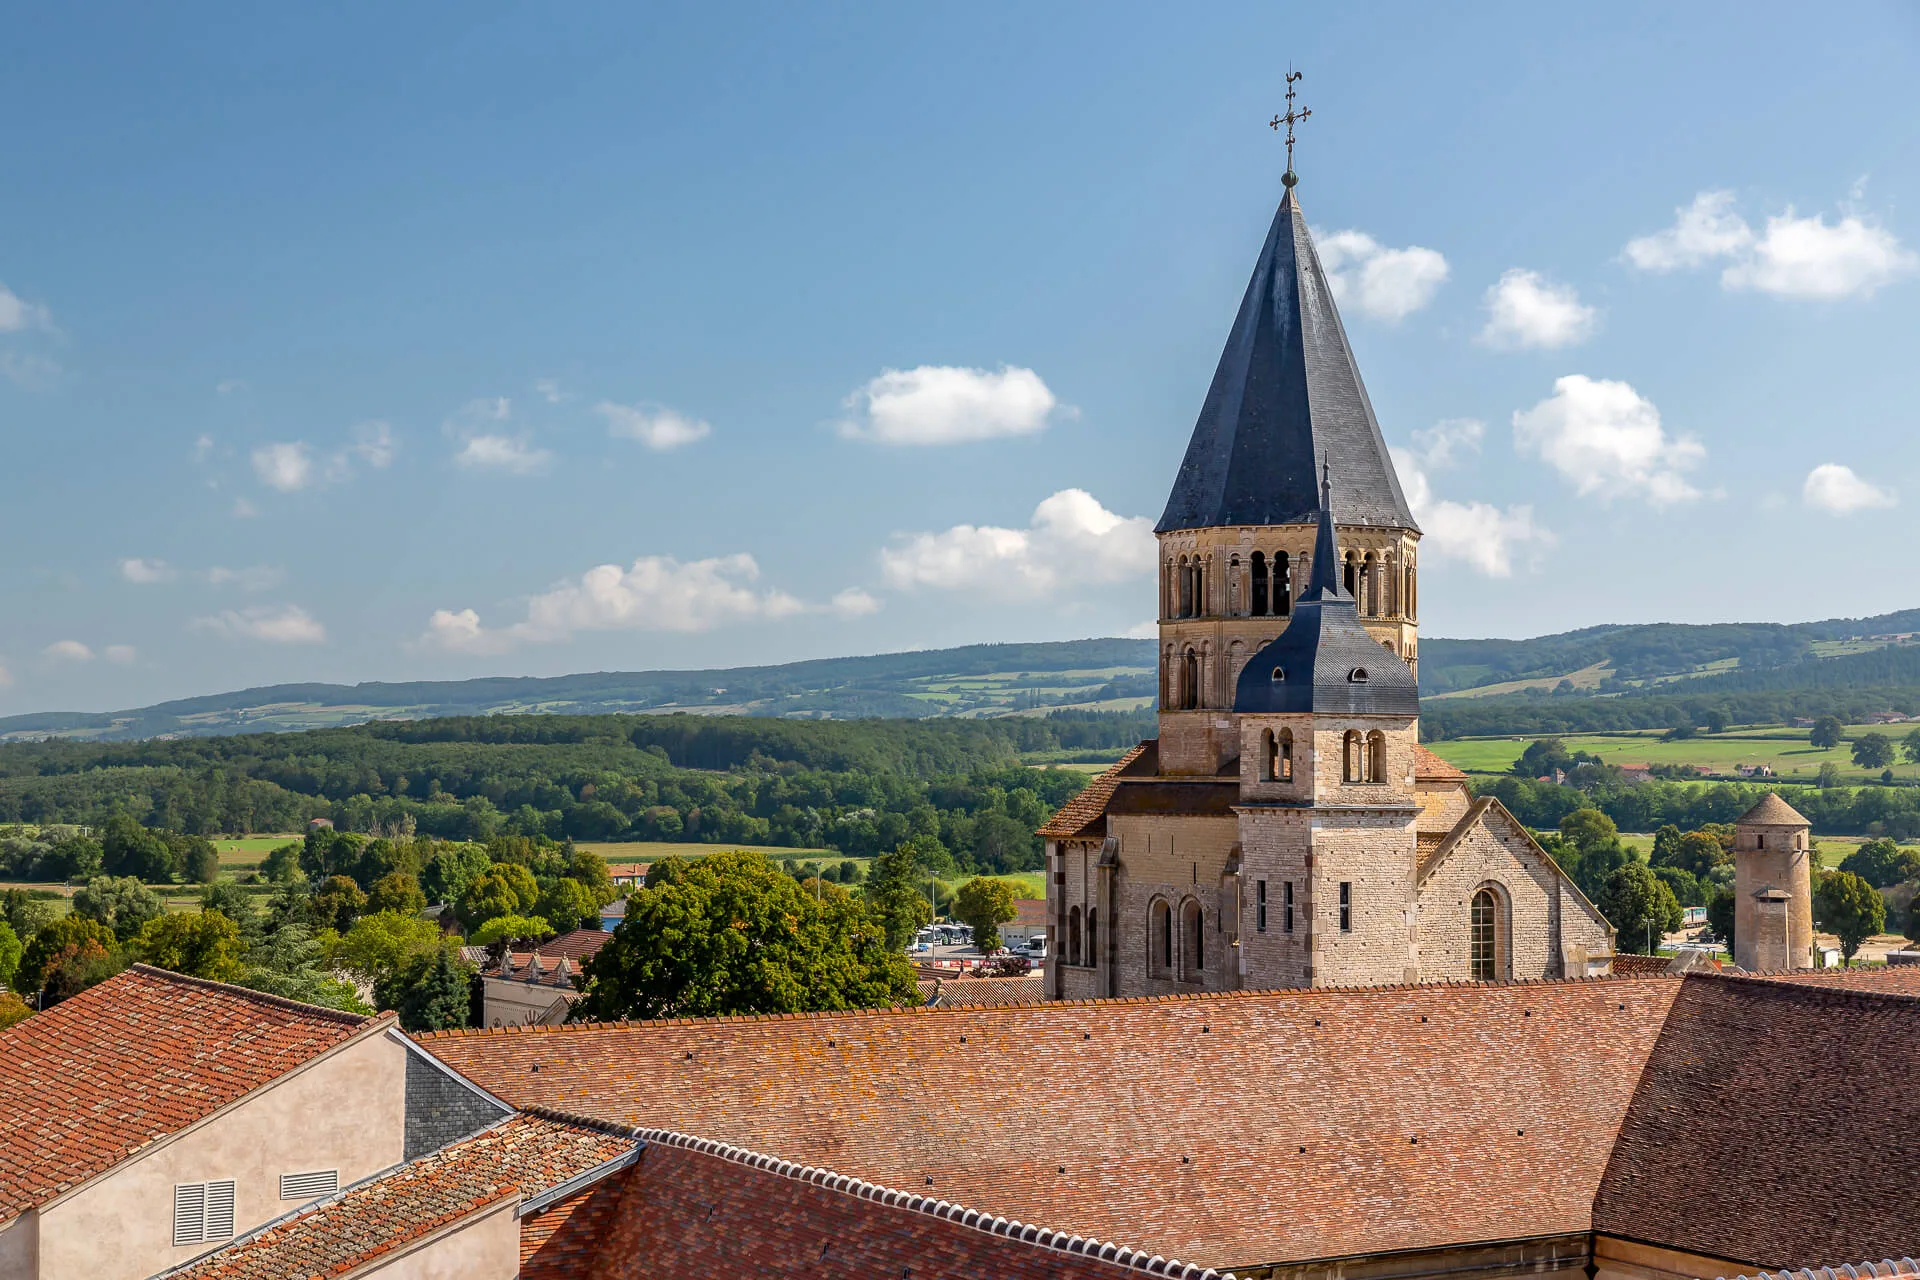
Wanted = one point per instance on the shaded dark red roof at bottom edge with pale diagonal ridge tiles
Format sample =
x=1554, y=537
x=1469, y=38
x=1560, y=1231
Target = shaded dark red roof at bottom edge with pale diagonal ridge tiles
x=696, y=1208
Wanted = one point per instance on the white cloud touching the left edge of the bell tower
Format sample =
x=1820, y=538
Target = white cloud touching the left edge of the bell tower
x=1072, y=540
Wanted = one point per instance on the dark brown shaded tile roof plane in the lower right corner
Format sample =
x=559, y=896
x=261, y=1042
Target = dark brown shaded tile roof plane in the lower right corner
x=1756, y=1095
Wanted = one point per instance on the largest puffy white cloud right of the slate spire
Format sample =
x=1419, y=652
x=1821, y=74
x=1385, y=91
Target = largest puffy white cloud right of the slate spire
x=1608, y=440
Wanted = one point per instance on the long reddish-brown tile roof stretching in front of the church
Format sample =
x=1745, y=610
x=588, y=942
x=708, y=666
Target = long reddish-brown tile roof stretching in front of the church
x=1370, y=1108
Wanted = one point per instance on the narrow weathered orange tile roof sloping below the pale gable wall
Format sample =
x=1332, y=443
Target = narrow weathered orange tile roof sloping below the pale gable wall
x=517, y=1160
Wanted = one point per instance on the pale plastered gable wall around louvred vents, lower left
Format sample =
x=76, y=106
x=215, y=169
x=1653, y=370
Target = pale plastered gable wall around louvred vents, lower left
x=343, y=1112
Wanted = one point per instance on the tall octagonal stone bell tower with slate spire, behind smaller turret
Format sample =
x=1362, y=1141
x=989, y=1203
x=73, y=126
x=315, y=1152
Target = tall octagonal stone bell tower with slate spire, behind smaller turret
x=1239, y=531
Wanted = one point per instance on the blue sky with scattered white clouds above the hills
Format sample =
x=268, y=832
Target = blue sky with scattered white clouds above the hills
x=425, y=343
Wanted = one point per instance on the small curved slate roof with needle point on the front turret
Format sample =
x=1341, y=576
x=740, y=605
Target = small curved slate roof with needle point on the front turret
x=1312, y=665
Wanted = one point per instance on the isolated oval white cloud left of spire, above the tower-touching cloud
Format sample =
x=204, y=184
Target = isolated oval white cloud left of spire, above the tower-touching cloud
x=946, y=406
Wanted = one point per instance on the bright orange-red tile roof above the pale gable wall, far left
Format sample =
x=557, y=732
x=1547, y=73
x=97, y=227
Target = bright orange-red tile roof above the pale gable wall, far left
x=133, y=1060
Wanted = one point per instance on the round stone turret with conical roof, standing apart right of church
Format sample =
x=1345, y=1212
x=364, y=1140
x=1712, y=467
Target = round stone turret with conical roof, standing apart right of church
x=1773, y=888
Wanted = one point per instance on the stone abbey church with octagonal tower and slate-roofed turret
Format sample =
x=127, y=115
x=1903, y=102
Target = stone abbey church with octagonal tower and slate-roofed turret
x=1287, y=828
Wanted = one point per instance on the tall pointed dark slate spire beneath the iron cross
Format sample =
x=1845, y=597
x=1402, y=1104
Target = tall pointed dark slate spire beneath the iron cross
x=1285, y=398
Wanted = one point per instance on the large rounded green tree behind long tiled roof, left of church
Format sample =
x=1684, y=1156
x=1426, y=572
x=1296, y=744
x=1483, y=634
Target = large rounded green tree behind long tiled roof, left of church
x=734, y=934
